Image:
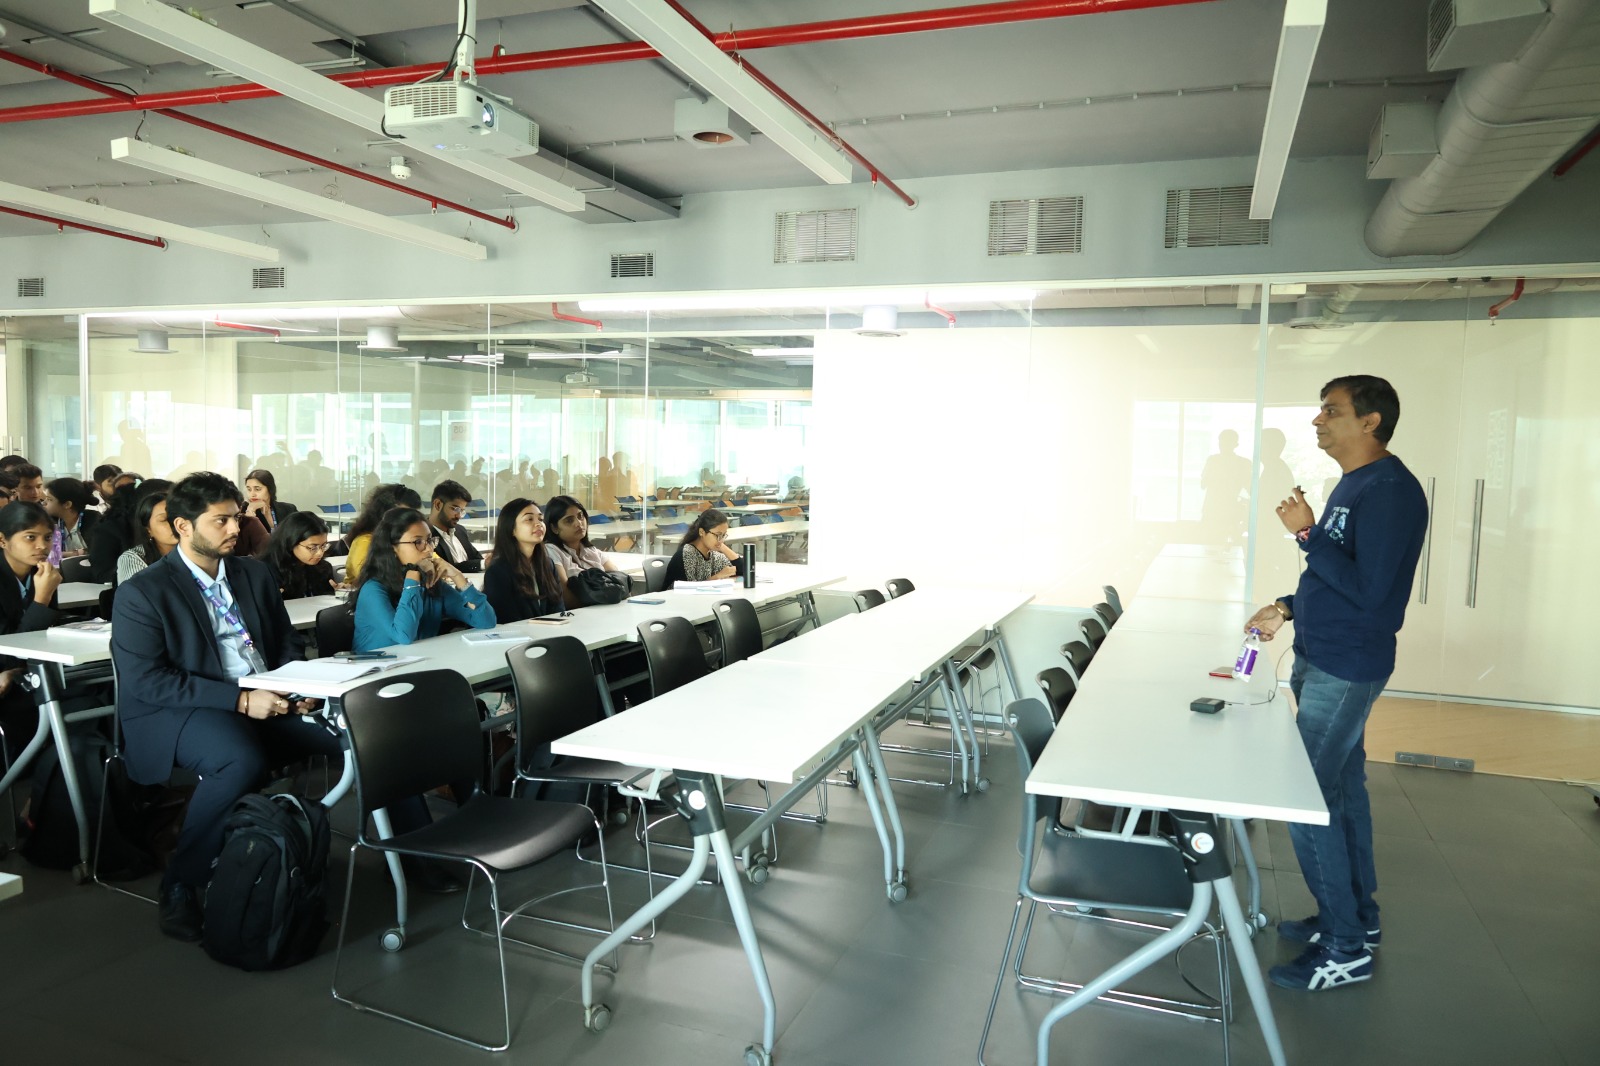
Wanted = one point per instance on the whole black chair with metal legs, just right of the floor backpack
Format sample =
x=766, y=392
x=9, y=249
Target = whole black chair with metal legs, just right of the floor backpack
x=414, y=734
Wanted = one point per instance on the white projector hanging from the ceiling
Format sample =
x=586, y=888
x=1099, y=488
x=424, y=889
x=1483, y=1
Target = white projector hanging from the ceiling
x=460, y=118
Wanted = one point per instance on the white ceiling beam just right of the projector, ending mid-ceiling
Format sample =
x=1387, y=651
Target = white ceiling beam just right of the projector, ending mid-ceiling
x=703, y=63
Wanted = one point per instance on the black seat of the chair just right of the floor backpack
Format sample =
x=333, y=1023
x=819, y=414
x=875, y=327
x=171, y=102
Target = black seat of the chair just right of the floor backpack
x=500, y=833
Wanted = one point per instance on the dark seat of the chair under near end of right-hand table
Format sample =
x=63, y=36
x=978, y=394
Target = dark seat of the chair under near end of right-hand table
x=1111, y=873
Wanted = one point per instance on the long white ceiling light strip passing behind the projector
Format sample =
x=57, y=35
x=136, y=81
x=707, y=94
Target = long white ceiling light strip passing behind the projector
x=199, y=39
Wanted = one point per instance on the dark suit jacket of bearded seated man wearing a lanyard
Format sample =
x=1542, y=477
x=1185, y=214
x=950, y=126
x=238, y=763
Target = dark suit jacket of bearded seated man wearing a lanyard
x=166, y=651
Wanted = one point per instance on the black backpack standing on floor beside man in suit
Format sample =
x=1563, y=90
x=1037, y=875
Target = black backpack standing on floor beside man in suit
x=268, y=907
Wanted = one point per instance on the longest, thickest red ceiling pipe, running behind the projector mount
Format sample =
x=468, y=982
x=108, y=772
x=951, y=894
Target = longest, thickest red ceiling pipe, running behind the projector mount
x=628, y=52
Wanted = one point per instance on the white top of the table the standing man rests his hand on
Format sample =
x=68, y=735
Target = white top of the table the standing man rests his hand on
x=1129, y=737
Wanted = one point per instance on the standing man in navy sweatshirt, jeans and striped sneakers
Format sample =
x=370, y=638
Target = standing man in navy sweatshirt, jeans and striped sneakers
x=1361, y=559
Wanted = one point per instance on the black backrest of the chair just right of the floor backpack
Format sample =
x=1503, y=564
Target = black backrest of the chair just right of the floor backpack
x=412, y=734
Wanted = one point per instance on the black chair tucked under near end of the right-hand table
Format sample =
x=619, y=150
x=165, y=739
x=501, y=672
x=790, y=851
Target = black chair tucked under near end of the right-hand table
x=1087, y=876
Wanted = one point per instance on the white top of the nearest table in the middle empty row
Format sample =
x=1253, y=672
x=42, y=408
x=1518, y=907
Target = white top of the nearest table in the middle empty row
x=748, y=721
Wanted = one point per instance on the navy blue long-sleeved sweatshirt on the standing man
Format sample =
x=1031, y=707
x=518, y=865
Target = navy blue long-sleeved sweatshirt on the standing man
x=1361, y=559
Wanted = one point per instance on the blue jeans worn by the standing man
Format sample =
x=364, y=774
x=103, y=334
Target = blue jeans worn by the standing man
x=1338, y=859
